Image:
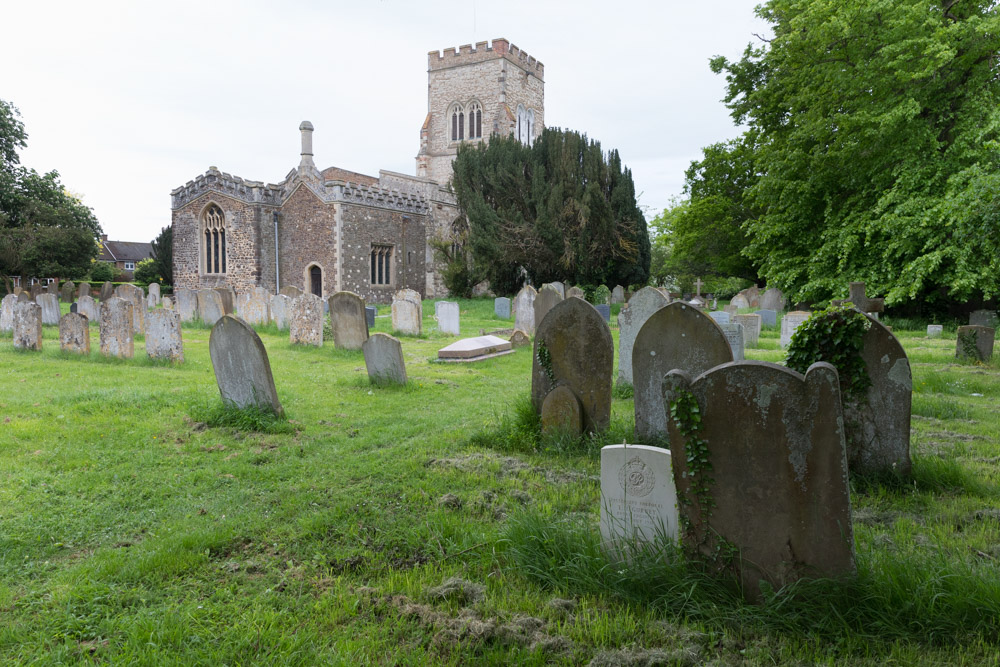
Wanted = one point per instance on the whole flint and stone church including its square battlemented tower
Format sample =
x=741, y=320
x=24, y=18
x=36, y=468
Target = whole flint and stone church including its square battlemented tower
x=329, y=230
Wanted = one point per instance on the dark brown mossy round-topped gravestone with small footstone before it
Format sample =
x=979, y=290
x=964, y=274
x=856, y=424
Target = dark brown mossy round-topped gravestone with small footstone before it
x=573, y=347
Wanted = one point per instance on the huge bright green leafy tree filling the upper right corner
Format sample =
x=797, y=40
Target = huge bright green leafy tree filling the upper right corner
x=875, y=126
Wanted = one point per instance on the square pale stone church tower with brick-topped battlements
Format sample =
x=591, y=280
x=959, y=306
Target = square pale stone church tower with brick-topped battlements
x=491, y=89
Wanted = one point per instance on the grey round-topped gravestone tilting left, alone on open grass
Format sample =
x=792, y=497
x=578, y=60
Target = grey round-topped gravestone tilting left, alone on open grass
x=241, y=367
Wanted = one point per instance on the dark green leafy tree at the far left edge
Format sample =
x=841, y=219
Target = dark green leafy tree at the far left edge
x=44, y=229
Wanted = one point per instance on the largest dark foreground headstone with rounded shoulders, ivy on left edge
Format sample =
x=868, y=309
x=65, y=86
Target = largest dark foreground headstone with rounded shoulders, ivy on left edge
x=776, y=472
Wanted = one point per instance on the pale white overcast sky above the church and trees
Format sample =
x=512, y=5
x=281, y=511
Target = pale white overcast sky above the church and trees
x=129, y=100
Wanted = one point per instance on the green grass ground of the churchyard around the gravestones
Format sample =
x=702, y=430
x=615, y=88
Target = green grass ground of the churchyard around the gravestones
x=140, y=524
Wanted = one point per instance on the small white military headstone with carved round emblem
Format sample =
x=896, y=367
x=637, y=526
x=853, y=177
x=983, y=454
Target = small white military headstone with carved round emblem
x=638, y=498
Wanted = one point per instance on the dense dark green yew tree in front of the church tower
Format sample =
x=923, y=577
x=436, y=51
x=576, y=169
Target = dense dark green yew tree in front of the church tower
x=560, y=209
